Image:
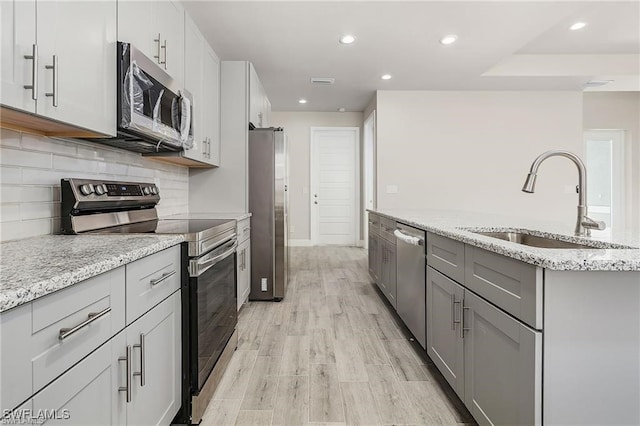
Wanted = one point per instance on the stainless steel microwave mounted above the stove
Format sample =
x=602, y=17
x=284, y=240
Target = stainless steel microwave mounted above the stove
x=155, y=113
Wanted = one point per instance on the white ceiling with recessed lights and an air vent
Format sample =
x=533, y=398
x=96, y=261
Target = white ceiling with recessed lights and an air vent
x=502, y=45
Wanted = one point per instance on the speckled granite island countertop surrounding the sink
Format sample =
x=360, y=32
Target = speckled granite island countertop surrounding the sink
x=451, y=224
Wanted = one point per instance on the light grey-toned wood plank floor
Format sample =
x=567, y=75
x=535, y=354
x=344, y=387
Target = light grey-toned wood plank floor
x=332, y=352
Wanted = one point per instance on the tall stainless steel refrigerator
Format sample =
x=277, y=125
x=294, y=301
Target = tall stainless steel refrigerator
x=268, y=200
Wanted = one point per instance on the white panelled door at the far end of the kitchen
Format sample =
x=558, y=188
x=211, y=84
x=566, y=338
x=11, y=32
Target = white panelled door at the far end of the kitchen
x=334, y=185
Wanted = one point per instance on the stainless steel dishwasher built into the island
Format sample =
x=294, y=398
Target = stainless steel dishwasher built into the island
x=410, y=292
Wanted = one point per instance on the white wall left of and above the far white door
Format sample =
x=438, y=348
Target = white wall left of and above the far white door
x=297, y=127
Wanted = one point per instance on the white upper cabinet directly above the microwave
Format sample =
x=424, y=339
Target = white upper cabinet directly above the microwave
x=157, y=29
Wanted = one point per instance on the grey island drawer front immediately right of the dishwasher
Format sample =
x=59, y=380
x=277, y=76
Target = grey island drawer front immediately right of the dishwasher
x=446, y=255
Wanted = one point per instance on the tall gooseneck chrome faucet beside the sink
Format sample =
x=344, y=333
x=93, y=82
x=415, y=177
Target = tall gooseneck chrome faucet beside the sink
x=584, y=224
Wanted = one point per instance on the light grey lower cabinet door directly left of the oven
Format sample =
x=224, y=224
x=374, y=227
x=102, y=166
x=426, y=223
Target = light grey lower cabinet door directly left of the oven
x=155, y=339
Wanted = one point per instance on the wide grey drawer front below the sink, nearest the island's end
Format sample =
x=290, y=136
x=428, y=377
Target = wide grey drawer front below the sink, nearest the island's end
x=510, y=284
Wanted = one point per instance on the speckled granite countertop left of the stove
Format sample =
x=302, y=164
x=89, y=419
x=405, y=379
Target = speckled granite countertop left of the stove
x=34, y=267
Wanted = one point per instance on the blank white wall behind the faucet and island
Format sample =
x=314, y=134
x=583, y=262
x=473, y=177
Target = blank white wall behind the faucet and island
x=472, y=151
